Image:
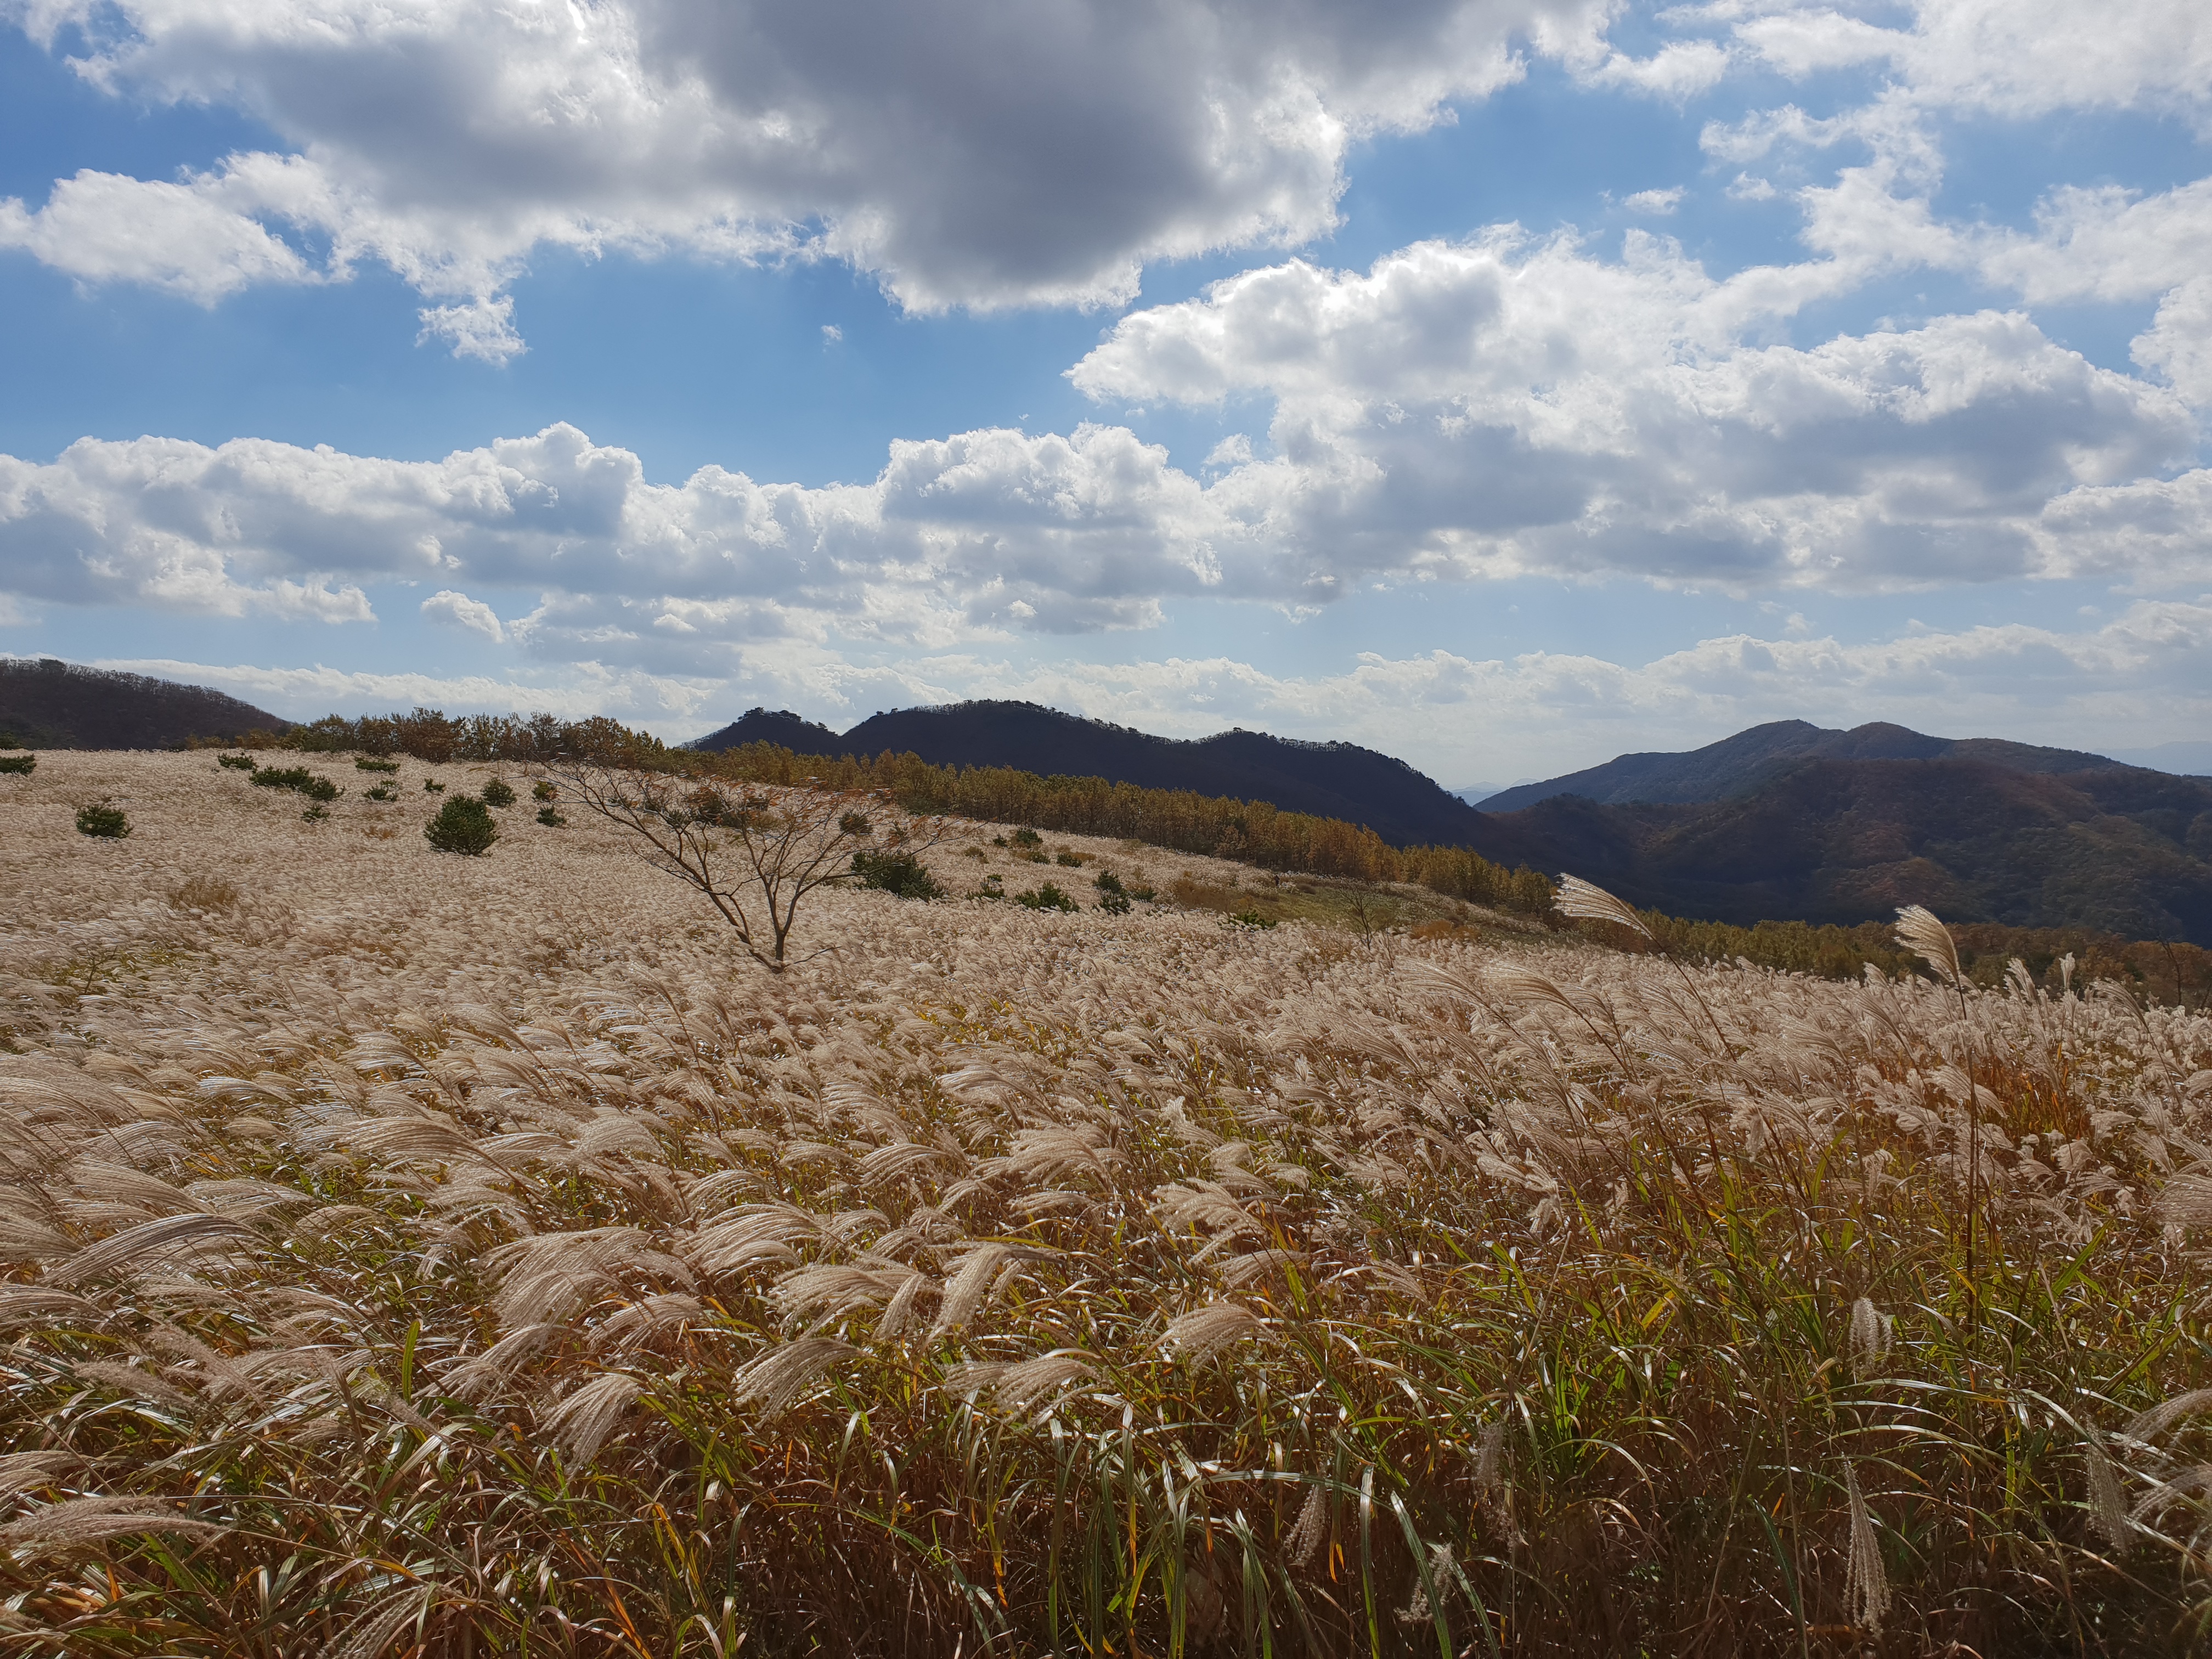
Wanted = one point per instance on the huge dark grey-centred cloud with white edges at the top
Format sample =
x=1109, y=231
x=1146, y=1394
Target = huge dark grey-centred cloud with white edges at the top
x=968, y=154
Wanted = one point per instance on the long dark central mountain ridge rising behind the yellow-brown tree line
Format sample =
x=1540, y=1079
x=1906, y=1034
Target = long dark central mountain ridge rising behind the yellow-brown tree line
x=1328, y=780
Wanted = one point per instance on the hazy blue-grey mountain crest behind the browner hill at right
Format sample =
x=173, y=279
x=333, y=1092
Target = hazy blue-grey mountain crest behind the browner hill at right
x=1744, y=762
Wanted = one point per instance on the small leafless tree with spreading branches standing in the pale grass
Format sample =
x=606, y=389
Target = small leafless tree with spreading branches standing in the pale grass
x=755, y=855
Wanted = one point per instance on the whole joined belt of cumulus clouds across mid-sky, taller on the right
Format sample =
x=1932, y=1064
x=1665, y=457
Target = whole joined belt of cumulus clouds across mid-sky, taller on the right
x=1457, y=413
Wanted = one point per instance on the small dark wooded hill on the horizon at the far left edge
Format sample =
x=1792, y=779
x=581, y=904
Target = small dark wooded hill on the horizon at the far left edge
x=63, y=707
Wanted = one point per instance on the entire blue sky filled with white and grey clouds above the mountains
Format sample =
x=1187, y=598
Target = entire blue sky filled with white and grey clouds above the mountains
x=1499, y=384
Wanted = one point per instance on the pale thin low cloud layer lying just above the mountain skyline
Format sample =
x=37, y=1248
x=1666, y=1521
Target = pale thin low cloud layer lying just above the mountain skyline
x=2131, y=680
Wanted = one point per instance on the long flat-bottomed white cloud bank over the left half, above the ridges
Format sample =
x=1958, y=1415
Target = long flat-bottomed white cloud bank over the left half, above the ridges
x=974, y=534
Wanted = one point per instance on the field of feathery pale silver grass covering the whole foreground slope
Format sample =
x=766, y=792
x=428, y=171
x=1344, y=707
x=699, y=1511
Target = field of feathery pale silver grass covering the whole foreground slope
x=435, y=1255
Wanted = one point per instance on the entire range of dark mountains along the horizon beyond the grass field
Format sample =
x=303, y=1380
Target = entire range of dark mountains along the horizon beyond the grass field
x=1775, y=824
